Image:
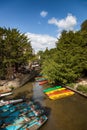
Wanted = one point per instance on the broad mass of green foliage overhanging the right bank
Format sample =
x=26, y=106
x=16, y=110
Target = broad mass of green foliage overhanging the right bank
x=68, y=61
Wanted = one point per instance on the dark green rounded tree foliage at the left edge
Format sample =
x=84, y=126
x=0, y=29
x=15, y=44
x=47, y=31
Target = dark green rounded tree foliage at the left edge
x=15, y=50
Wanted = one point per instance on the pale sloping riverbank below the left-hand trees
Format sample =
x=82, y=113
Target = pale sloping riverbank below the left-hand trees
x=6, y=85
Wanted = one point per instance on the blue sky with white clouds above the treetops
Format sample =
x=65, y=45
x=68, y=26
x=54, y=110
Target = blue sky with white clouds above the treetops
x=43, y=20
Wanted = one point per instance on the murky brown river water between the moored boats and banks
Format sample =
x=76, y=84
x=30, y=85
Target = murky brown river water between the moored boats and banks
x=69, y=113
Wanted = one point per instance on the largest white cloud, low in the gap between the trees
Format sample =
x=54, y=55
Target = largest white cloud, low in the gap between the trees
x=40, y=42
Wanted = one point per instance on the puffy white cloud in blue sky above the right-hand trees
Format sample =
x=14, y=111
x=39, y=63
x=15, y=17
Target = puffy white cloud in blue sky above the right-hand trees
x=67, y=23
